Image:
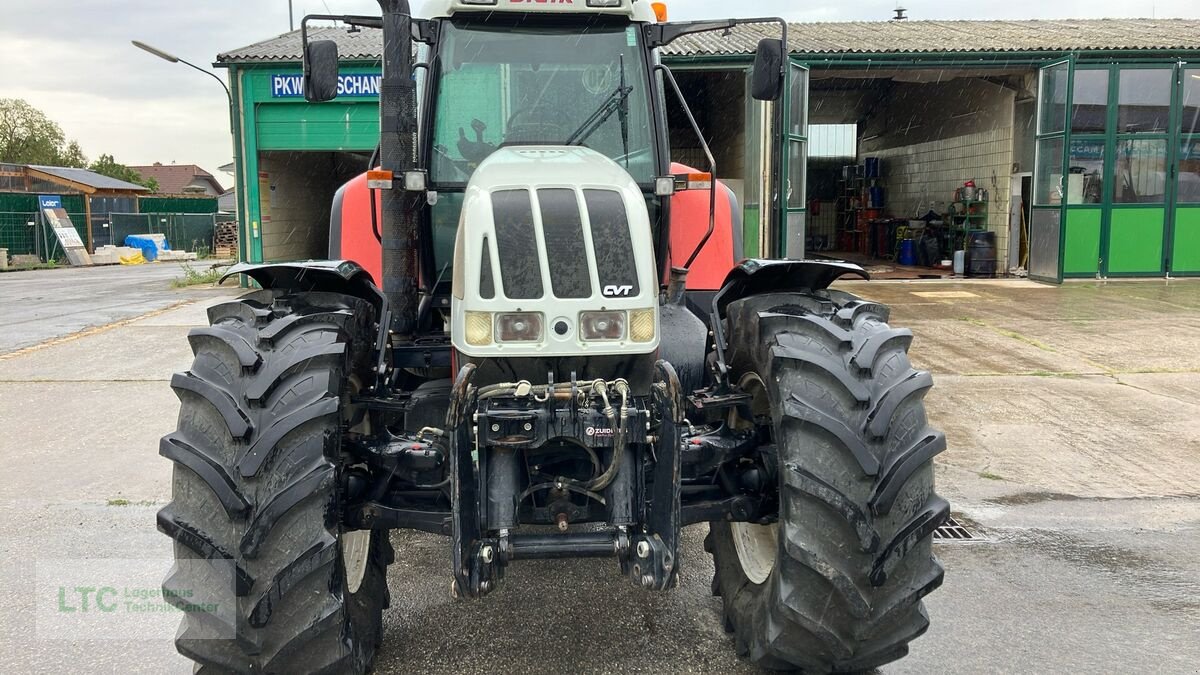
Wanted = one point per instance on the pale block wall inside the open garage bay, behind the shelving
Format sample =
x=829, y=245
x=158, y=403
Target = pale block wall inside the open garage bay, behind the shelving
x=923, y=175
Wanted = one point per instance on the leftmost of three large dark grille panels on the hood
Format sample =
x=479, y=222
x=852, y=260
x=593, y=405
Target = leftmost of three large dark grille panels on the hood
x=517, y=244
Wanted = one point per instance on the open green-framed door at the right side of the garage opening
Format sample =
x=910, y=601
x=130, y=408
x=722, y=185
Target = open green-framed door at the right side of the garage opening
x=1047, y=138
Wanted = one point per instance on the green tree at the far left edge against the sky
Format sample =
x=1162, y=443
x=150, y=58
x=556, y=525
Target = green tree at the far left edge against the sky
x=29, y=138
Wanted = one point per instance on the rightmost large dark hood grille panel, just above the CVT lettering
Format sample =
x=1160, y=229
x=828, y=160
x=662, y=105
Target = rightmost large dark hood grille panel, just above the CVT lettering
x=613, y=243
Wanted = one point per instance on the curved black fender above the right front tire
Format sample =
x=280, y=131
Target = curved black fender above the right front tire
x=753, y=277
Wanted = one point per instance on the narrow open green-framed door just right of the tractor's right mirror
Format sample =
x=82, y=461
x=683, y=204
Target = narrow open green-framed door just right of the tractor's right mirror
x=793, y=199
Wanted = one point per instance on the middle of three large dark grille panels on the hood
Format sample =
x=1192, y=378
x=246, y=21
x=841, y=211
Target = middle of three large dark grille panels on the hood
x=567, y=256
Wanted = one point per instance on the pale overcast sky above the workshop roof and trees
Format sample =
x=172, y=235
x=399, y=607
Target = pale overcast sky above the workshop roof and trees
x=74, y=59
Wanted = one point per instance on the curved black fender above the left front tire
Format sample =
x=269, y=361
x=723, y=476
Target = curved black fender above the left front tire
x=331, y=277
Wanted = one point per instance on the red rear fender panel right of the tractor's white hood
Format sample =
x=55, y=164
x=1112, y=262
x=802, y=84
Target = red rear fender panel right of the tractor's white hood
x=689, y=222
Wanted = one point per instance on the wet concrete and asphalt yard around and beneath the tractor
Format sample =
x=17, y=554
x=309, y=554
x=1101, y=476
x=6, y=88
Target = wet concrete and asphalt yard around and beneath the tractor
x=1075, y=445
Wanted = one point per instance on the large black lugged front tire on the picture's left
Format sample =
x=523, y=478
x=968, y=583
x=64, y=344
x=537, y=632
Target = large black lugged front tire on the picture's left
x=256, y=491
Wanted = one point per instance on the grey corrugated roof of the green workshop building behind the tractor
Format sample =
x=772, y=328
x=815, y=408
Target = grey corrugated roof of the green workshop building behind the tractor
x=839, y=38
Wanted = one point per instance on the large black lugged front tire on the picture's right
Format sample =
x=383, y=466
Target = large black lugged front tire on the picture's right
x=857, y=506
